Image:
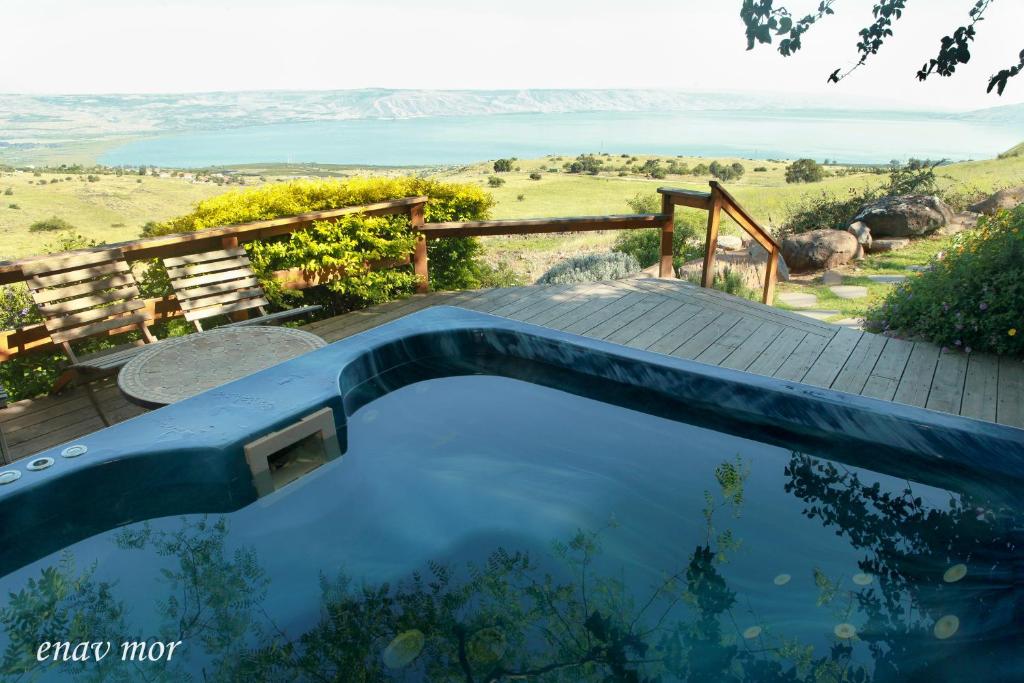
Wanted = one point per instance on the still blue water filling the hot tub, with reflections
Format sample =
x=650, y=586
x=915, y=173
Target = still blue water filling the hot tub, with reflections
x=482, y=529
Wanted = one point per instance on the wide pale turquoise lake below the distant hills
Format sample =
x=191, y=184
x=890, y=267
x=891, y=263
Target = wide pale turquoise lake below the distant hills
x=857, y=138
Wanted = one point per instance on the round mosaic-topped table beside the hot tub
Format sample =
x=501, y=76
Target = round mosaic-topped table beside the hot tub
x=183, y=367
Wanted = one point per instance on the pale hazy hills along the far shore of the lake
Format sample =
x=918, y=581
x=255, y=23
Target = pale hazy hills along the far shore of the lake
x=49, y=119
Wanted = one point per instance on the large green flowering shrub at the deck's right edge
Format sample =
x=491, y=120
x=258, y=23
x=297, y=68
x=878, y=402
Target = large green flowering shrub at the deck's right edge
x=972, y=296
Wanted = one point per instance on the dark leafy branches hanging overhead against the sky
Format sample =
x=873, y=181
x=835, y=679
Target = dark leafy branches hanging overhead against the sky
x=765, y=23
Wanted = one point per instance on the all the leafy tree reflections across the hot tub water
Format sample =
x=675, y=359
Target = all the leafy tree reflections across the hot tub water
x=510, y=619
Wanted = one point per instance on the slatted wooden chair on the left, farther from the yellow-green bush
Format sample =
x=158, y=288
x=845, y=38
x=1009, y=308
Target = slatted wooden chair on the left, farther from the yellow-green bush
x=90, y=295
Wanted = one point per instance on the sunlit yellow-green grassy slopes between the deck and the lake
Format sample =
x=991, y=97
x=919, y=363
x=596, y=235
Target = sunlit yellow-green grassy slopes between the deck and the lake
x=116, y=208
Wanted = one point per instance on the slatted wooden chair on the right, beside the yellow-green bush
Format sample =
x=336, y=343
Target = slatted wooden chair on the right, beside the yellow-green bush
x=220, y=283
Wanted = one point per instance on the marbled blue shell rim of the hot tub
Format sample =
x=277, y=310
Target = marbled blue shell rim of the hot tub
x=189, y=458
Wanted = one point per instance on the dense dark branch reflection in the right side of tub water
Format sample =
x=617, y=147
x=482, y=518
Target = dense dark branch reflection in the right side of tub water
x=919, y=556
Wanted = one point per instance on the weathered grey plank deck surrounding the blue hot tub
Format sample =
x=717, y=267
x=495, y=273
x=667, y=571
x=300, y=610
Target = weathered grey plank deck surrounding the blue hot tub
x=667, y=317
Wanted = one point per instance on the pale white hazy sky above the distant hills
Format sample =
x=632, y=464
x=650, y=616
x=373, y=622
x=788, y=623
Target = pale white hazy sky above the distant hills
x=94, y=47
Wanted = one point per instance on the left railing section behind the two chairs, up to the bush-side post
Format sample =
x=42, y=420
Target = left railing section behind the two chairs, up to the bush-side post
x=35, y=337
